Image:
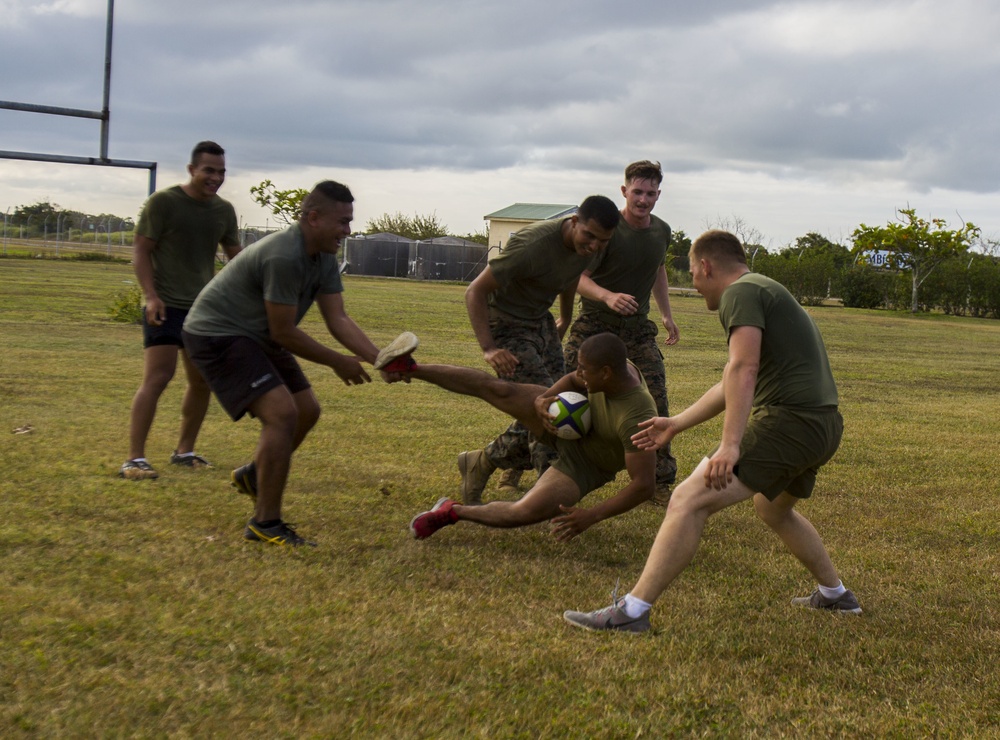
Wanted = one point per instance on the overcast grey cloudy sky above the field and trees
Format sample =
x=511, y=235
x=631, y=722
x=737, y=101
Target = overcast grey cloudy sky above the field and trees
x=790, y=117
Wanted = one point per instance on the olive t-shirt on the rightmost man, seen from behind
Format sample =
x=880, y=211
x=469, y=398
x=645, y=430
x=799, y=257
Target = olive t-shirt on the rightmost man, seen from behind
x=794, y=367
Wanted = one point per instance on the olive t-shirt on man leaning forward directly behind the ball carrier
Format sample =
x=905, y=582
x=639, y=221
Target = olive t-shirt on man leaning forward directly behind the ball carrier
x=533, y=269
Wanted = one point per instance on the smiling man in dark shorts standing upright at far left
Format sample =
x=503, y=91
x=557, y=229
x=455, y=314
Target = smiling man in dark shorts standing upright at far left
x=179, y=231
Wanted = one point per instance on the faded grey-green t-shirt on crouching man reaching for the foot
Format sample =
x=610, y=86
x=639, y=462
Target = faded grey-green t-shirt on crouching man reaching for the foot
x=275, y=269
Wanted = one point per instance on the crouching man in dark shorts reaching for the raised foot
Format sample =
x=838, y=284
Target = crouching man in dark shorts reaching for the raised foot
x=242, y=333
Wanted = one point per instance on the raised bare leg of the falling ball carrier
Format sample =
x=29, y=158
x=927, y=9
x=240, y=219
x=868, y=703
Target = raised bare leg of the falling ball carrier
x=514, y=399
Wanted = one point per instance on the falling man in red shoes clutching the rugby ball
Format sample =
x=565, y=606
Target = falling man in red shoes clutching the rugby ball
x=619, y=401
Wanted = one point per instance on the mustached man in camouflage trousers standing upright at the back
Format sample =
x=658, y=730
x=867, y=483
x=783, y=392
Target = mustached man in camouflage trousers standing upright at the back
x=615, y=292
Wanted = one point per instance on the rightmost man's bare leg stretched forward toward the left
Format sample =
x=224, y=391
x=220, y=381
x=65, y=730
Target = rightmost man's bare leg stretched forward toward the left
x=677, y=541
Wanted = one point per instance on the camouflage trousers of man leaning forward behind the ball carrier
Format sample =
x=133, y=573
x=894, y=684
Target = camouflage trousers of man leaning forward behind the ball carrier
x=537, y=347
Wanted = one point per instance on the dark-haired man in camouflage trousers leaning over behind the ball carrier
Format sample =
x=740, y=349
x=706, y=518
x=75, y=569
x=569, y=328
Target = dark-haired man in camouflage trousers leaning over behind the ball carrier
x=509, y=307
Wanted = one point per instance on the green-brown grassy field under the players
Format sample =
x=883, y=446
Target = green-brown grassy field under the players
x=136, y=609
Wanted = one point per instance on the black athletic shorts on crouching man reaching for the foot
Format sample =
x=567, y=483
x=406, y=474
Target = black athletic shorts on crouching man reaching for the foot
x=239, y=370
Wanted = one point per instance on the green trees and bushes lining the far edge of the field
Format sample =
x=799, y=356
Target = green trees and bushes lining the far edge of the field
x=911, y=263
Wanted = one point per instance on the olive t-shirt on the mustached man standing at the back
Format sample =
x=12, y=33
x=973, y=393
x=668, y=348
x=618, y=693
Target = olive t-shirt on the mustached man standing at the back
x=630, y=263
